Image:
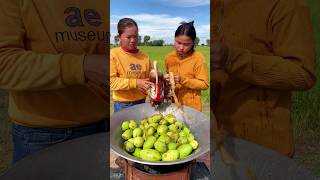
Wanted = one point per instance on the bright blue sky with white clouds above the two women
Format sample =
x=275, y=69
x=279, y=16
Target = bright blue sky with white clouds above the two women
x=160, y=18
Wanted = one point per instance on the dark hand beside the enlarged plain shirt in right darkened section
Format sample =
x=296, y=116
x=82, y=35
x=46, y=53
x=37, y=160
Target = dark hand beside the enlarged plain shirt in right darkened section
x=219, y=52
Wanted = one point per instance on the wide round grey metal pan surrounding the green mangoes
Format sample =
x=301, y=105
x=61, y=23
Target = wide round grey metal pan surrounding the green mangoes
x=197, y=122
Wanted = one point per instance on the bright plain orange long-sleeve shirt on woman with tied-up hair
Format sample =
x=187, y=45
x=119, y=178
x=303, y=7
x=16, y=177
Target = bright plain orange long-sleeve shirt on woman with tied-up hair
x=193, y=71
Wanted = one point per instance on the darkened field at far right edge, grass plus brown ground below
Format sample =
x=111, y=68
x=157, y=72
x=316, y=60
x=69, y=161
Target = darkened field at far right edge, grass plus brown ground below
x=306, y=109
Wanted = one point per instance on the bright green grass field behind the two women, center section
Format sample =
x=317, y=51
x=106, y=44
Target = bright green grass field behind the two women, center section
x=158, y=53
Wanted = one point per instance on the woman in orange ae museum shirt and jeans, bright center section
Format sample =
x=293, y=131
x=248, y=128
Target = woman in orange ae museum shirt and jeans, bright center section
x=129, y=68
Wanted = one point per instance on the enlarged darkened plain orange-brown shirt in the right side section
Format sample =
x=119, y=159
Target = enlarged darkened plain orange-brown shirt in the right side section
x=271, y=53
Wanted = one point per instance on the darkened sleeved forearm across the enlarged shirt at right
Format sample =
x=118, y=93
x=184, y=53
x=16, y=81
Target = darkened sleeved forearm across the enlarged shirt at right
x=272, y=72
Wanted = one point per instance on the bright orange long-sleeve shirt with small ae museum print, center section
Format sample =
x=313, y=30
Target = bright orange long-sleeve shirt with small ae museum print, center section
x=125, y=69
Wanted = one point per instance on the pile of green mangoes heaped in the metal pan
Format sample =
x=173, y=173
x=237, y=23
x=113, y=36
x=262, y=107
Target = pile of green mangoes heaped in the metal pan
x=158, y=138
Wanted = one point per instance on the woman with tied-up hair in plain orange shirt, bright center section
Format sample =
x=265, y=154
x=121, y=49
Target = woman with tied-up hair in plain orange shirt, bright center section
x=188, y=66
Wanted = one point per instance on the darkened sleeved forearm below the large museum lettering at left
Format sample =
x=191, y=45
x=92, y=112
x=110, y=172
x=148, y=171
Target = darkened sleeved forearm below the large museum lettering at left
x=27, y=70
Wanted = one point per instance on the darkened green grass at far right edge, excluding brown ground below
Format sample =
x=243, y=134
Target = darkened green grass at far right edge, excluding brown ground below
x=306, y=106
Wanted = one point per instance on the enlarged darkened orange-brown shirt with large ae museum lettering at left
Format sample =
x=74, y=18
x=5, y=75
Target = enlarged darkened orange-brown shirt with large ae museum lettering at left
x=42, y=47
